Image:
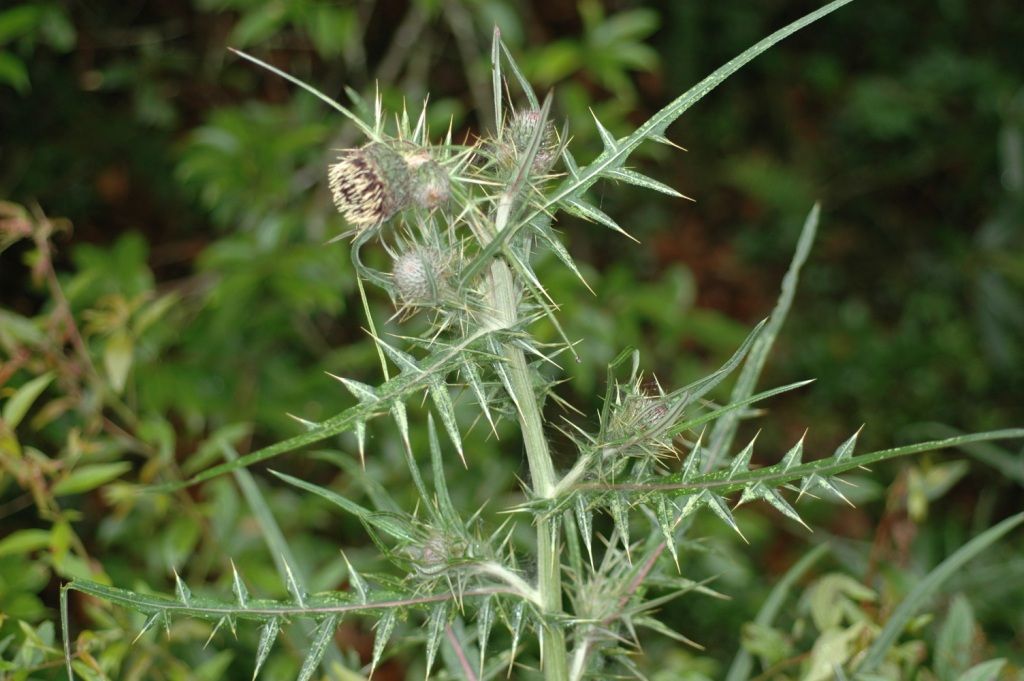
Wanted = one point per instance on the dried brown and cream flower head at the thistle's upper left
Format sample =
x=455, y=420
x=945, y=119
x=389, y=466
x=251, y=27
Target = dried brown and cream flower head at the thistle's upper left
x=370, y=185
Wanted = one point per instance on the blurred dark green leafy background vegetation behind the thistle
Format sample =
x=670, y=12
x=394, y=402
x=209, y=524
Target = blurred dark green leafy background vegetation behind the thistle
x=188, y=300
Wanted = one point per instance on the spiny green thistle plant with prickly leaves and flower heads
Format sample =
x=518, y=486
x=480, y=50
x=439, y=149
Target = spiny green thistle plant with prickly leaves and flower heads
x=463, y=226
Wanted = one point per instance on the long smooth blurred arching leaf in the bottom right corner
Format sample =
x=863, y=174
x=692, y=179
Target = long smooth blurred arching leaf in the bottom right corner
x=926, y=588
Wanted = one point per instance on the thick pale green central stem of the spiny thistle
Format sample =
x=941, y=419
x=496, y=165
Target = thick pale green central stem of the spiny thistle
x=504, y=296
